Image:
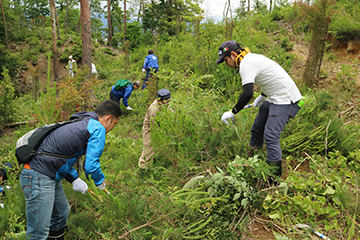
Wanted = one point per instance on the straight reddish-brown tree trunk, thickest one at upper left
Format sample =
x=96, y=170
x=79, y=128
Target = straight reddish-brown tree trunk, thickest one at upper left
x=86, y=34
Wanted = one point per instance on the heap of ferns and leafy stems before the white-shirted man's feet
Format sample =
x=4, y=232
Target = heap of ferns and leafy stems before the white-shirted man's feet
x=219, y=196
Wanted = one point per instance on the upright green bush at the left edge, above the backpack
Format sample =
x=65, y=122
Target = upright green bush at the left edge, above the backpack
x=7, y=105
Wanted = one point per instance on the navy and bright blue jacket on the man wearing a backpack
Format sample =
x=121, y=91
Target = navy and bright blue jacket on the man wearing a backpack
x=74, y=139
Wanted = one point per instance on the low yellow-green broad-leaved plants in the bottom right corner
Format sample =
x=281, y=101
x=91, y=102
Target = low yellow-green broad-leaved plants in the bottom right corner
x=318, y=198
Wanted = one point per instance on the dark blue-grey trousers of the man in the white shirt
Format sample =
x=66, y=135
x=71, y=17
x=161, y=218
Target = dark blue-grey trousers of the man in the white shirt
x=268, y=125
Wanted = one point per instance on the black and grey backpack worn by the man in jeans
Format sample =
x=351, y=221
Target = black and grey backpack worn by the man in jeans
x=27, y=145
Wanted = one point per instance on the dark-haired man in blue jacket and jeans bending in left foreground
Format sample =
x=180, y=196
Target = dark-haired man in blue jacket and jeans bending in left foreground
x=47, y=208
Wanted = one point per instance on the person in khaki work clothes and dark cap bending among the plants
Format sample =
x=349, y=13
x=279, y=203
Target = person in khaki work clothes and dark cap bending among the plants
x=163, y=98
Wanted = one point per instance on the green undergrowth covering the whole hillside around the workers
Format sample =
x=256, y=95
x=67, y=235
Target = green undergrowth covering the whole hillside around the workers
x=203, y=183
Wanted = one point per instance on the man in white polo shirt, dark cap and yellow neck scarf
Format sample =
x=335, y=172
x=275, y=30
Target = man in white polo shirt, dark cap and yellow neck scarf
x=277, y=102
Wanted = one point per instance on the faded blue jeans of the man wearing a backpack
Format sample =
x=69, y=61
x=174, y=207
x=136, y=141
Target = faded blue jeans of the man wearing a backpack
x=47, y=208
